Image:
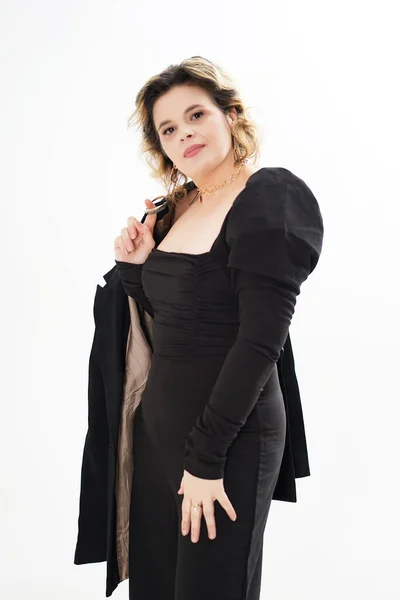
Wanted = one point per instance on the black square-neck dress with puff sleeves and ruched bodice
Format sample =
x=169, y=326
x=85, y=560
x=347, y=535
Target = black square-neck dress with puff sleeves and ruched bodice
x=213, y=404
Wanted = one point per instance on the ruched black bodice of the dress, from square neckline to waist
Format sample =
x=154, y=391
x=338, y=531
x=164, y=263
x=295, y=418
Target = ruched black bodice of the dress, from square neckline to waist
x=195, y=308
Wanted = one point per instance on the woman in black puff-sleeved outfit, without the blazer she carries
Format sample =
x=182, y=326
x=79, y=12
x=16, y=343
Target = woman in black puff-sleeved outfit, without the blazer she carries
x=221, y=287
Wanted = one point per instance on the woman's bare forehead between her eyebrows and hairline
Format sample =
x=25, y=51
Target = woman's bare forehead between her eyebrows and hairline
x=172, y=103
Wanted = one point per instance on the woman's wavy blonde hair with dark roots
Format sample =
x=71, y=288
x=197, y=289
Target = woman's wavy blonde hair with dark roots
x=198, y=71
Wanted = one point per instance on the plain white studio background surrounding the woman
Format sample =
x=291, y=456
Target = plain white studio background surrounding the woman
x=321, y=80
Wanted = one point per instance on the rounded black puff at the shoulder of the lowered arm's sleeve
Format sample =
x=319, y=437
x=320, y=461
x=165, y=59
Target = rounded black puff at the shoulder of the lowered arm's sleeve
x=276, y=213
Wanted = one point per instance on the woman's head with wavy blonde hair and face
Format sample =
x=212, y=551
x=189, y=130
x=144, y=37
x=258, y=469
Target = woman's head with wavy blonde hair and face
x=194, y=103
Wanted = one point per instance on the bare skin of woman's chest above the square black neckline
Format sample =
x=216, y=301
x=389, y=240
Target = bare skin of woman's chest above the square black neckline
x=196, y=227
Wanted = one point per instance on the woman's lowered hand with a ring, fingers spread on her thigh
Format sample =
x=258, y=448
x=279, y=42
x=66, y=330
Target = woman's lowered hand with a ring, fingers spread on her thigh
x=203, y=491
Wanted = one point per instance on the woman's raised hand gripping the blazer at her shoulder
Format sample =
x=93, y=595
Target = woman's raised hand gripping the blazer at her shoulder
x=136, y=241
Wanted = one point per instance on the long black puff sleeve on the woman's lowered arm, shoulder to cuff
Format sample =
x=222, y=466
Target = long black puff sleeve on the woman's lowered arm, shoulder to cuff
x=274, y=233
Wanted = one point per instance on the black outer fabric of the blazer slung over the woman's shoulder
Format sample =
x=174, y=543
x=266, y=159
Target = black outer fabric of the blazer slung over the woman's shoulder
x=97, y=519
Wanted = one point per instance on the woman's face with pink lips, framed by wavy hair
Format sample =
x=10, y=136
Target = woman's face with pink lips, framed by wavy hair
x=206, y=124
